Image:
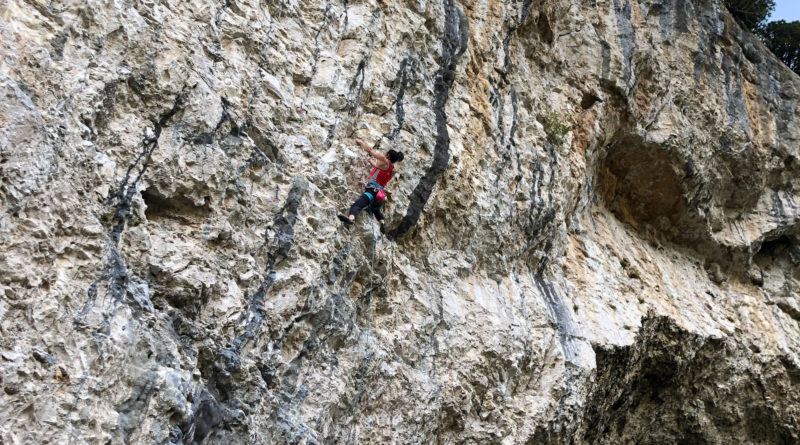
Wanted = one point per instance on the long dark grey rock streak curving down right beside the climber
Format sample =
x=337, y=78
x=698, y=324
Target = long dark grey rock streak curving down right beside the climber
x=454, y=43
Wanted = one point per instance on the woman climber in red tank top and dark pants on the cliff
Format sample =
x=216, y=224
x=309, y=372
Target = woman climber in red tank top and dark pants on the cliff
x=374, y=193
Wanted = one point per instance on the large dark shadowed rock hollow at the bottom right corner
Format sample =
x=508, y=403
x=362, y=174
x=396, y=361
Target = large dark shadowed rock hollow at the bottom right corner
x=673, y=386
